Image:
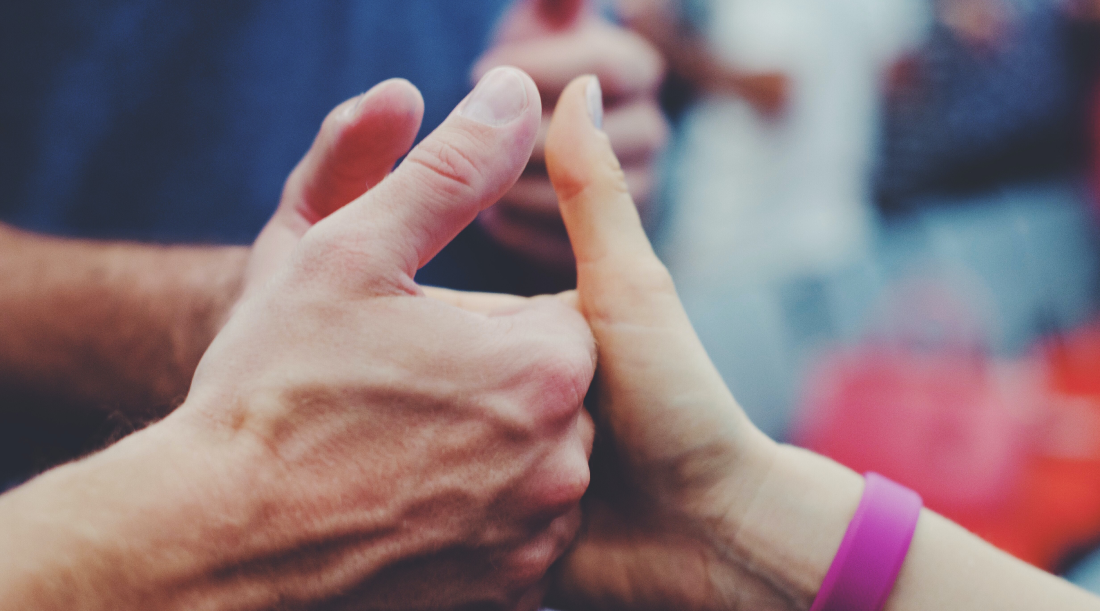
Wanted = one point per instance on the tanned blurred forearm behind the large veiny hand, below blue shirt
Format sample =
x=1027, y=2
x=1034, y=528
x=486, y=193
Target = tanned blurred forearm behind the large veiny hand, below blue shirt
x=107, y=328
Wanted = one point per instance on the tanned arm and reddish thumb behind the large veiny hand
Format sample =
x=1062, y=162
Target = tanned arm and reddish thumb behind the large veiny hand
x=164, y=305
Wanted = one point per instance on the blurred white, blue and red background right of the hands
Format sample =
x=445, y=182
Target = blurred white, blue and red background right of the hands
x=882, y=217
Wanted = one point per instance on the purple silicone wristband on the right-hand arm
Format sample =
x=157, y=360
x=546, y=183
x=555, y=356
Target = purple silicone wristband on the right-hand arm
x=874, y=549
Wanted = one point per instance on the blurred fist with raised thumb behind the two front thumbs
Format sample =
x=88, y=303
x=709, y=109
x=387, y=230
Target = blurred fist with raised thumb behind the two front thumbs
x=556, y=41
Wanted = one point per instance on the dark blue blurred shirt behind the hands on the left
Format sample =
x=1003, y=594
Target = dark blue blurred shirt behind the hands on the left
x=179, y=122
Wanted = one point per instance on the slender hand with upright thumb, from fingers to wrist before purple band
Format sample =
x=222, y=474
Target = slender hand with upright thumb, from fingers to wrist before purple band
x=680, y=467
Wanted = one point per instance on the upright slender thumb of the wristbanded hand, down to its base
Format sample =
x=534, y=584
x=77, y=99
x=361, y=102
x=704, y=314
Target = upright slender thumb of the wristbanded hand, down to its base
x=659, y=392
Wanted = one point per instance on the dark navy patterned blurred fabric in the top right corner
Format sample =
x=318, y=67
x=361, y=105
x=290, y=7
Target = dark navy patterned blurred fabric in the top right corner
x=975, y=118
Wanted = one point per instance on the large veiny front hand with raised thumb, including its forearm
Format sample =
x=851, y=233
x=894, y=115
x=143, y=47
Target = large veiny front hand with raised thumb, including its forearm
x=348, y=443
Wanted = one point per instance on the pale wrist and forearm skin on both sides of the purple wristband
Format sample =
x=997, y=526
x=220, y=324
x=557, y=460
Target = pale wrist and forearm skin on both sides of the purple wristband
x=795, y=526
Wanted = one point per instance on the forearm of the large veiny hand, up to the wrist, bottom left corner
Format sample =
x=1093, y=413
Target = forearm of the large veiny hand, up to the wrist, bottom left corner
x=146, y=525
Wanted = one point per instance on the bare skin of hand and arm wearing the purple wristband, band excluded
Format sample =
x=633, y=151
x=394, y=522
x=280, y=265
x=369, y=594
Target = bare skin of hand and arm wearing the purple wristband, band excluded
x=691, y=507
